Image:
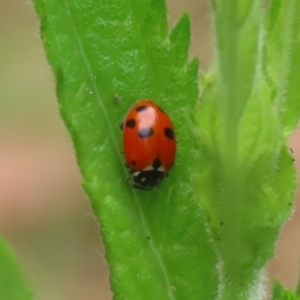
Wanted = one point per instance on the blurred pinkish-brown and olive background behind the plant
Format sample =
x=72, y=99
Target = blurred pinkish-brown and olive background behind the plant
x=44, y=214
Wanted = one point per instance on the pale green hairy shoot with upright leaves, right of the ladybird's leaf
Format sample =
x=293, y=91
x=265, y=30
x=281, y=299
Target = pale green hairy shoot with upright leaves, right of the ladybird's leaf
x=247, y=180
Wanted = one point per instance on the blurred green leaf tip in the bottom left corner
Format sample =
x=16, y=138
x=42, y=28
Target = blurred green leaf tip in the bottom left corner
x=12, y=283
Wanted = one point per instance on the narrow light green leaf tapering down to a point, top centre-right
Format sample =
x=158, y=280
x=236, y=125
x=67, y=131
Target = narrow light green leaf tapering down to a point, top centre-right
x=237, y=25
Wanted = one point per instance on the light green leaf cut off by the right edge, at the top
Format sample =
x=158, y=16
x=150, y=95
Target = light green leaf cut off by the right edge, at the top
x=283, y=58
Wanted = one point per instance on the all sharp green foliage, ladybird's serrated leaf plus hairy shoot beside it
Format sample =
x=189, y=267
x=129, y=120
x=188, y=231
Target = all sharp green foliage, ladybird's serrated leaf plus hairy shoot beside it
x=108, y=54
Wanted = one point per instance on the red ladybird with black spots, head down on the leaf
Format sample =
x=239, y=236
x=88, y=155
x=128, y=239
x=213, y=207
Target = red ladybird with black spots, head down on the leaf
x=149, y=144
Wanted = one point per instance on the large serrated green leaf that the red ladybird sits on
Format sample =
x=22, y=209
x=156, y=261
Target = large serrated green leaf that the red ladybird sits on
x=106, y=55
